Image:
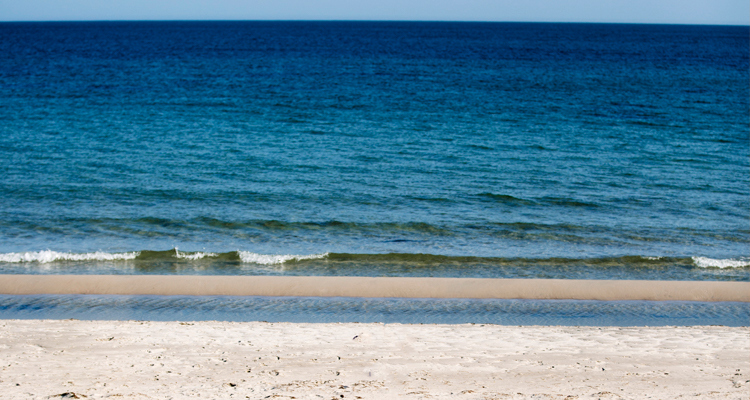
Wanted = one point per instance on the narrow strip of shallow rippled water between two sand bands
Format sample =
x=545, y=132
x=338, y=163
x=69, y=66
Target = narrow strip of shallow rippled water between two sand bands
x=431, y=311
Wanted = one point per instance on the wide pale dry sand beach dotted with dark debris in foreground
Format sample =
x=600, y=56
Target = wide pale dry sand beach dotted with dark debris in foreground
x=258, y=360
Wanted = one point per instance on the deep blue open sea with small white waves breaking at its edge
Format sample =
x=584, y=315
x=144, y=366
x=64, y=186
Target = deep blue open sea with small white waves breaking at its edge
x=503, y=150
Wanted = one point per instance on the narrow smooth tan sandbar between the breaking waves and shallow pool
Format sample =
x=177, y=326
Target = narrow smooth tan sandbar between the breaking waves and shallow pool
x=347, y=286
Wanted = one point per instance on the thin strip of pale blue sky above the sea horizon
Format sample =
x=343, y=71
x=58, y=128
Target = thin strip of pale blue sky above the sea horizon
x=732, y=12
